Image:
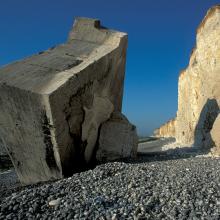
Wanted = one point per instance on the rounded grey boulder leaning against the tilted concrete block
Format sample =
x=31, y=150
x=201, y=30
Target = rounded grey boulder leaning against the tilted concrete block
x=118, y=139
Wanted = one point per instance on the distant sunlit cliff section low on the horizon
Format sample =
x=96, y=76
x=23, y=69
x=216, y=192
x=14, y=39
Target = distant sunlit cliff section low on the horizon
x=166, y=130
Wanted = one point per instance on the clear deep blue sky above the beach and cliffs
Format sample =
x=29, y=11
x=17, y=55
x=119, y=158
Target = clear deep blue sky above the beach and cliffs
x=161, y=37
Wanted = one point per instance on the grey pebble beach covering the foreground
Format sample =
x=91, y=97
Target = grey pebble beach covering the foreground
x=161, y=187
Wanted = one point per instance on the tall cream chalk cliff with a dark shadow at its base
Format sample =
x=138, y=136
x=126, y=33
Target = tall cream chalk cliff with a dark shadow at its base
x=198, y=89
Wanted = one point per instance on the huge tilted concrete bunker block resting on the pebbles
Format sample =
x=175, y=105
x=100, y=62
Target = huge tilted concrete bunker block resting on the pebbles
x=52, y=104
